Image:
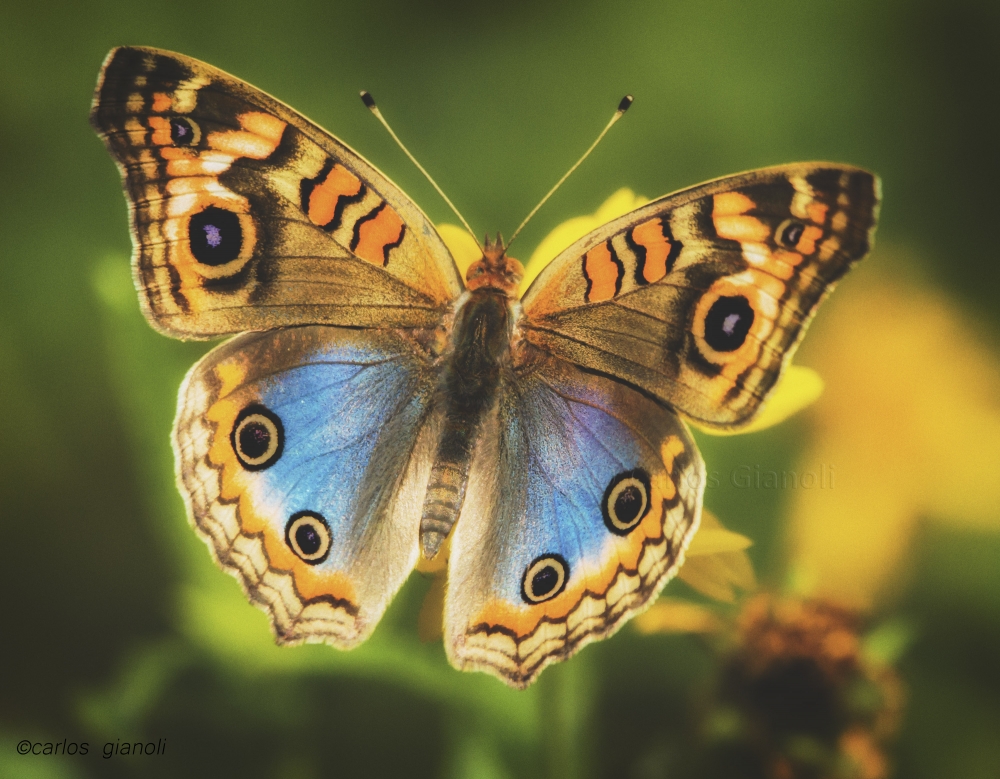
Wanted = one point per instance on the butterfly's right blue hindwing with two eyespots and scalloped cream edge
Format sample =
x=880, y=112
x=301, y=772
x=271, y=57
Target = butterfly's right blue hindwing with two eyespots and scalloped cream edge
x=582, y=497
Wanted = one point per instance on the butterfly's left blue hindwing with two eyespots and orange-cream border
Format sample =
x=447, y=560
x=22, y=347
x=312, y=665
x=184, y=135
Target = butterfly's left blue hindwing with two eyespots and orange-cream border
x=303, y=454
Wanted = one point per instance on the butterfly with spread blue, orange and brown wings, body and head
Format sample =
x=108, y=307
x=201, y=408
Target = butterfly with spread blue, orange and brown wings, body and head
x=375, y=410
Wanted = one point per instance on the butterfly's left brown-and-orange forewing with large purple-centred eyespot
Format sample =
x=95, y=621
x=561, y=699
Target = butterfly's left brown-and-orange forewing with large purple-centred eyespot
x=247, y=216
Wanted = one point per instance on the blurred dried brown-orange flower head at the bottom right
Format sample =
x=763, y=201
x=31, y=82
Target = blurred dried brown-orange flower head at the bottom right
x=800, y=696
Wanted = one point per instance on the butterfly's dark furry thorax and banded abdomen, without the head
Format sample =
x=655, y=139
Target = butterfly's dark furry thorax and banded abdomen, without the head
x=481, y=344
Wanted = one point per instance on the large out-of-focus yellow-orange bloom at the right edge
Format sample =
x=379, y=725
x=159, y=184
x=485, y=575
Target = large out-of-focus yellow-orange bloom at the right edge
x=909, y=428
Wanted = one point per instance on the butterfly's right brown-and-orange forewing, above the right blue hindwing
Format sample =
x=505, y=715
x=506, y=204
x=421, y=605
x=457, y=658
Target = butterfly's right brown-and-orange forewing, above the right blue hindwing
x=700, y=297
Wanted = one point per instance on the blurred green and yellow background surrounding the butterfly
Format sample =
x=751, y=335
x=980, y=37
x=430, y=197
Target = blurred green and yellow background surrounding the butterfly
x=117, y=626
